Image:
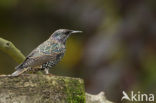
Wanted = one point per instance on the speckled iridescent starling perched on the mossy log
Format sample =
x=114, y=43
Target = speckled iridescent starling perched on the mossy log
x=47, y=54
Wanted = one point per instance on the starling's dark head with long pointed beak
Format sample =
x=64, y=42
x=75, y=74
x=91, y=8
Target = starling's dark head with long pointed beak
x=63, y=34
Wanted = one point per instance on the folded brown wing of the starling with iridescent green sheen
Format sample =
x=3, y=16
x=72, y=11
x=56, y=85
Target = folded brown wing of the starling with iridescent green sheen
x=42, y=54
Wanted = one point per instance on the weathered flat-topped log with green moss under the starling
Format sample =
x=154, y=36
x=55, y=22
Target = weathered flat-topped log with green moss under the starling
x=41, y=89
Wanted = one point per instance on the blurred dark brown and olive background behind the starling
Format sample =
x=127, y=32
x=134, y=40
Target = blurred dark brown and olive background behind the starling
x=115, y=52
